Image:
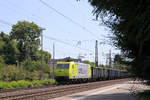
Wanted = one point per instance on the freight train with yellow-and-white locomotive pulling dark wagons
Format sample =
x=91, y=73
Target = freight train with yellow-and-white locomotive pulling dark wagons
x=76, y=71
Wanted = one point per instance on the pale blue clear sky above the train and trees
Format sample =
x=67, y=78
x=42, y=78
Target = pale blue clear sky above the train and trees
x=70, y=26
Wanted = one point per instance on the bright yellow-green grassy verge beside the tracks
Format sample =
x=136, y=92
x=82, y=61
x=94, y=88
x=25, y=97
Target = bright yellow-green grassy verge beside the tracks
x=25, y=84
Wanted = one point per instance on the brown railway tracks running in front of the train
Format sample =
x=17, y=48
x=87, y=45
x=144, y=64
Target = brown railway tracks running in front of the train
x=44, y=93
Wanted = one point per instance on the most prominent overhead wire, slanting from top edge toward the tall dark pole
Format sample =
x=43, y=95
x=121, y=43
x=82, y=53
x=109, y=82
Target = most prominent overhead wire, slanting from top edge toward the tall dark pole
x=69, y=19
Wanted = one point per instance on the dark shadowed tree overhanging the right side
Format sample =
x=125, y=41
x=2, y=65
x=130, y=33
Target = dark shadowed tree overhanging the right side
x=129, y=22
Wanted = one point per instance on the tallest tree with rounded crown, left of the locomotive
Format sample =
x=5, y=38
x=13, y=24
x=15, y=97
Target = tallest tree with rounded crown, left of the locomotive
x=27, y=36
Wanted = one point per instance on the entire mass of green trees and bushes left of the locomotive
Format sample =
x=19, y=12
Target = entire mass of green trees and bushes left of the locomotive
x=21, y=48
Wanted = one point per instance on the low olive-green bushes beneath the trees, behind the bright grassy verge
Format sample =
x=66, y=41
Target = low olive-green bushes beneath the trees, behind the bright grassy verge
x=13, y=73
